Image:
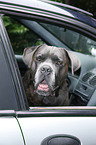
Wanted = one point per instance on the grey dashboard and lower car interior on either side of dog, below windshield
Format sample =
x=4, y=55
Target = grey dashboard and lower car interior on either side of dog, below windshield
x=81, y=86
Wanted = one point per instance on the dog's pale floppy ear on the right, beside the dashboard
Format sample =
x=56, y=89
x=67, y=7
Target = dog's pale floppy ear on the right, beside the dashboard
x=73, y=60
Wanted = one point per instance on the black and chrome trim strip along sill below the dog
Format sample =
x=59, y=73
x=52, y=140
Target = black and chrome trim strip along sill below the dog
x=58, y=112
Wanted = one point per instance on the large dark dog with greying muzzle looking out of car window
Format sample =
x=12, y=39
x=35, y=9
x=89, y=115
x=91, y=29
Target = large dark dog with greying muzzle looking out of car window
x=45, y=81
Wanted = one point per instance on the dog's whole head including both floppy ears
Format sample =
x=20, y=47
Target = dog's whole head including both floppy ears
x=49, y=66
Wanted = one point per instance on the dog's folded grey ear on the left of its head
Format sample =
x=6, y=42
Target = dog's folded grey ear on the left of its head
x=28, y=55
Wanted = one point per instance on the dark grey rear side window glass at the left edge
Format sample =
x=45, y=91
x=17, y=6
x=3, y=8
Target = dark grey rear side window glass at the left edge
x=7, y=92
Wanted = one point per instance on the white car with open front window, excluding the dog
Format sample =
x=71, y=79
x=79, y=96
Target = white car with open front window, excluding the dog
x=30, y=23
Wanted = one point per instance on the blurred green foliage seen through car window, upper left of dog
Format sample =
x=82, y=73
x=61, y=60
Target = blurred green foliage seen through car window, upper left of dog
x=20, y=36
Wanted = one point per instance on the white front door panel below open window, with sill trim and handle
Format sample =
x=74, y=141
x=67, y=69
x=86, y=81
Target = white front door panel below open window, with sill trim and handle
x=40, y=124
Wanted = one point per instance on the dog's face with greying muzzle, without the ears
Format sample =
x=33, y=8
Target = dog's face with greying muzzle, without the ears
x=50, y=67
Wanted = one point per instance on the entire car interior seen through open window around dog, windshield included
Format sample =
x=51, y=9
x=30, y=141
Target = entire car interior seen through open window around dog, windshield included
x=81, y=85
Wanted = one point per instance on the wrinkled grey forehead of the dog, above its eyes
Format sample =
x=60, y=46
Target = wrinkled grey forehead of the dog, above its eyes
x=50, y=51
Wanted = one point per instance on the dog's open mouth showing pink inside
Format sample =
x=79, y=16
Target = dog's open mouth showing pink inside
x=43, y=86
